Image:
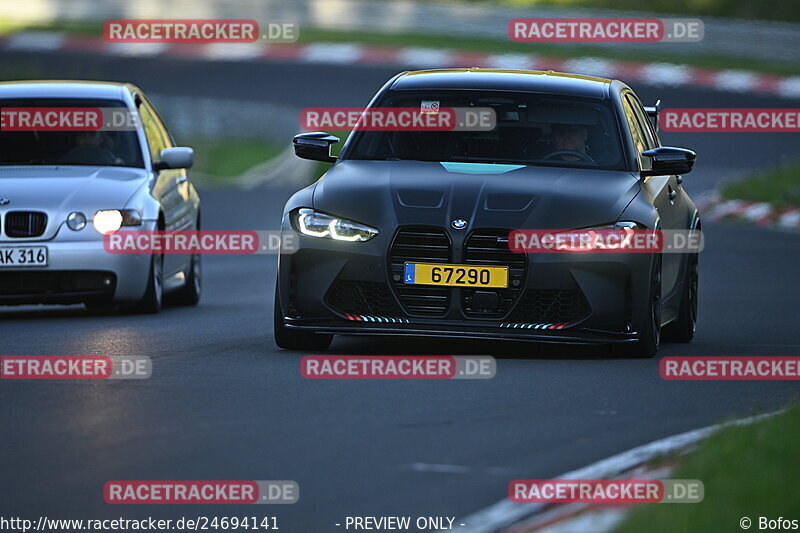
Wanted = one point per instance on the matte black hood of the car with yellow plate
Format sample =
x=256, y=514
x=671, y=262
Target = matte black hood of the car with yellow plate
x=392, y=193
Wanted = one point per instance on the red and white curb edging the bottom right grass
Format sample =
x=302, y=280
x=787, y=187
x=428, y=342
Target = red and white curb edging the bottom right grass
x=506, y=516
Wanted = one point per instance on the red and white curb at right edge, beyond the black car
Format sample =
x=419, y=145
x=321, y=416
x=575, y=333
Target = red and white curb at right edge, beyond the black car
x=715, y=208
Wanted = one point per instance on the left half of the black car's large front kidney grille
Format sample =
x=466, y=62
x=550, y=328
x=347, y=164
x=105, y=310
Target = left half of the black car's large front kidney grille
x=420, y=245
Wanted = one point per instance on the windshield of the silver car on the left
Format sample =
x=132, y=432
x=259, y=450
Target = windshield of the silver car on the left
x=60, y=146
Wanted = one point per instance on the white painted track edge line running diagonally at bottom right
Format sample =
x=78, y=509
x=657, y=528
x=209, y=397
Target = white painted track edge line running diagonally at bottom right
x=505, y=512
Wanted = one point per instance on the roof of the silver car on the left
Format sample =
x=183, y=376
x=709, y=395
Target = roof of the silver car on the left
x=65, y=89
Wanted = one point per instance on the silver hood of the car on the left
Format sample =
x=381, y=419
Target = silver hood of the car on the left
x=59, y=190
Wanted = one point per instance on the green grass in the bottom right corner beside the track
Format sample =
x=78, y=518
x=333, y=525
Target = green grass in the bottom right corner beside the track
x=748, y=471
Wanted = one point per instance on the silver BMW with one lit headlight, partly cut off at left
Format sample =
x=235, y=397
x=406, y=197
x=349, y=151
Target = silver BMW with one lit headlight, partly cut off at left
x=62, y=189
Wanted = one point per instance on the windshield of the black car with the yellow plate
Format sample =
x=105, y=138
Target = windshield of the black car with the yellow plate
x=531, y=129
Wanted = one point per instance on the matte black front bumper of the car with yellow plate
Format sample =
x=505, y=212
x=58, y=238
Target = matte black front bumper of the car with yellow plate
x=352, y=288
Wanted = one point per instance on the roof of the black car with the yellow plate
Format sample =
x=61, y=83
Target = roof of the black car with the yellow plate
x=548, y=82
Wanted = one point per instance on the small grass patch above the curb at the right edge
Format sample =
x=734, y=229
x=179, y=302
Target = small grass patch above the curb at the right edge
x=780, y=187
